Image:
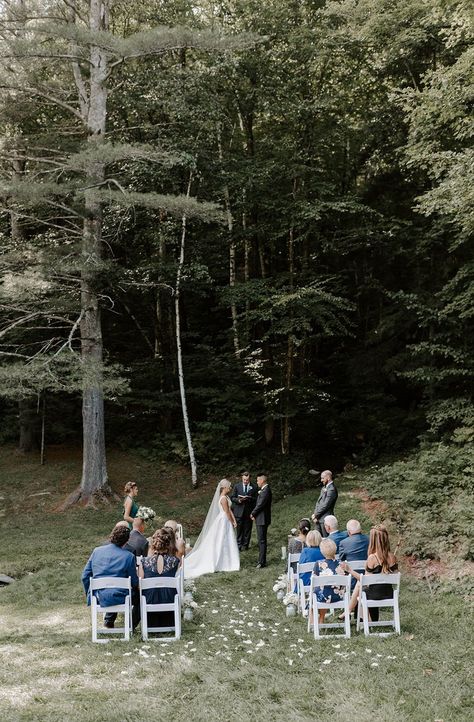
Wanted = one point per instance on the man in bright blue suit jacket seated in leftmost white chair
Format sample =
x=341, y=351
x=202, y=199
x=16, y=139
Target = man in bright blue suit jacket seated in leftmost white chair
x=112, y=560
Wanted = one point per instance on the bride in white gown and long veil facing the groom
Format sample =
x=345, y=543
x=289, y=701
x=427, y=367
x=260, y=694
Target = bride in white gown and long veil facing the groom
x=216, y=547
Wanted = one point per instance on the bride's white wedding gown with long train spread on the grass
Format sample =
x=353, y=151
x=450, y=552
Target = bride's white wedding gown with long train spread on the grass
x=217, y=551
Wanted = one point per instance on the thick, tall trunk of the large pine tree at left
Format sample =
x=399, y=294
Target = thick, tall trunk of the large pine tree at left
x=94, y=466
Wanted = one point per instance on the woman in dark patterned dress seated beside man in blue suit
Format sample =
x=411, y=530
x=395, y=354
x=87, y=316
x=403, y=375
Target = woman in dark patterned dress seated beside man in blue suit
x=162, y=562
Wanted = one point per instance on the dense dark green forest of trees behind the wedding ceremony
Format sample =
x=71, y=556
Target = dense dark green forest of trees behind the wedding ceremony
x=256, y=216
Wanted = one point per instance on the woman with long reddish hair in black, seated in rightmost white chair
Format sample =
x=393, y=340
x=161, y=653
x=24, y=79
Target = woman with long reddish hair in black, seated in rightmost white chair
x=379, y=561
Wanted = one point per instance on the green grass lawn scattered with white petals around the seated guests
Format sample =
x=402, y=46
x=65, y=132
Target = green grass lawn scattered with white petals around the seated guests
x=240, y=659
